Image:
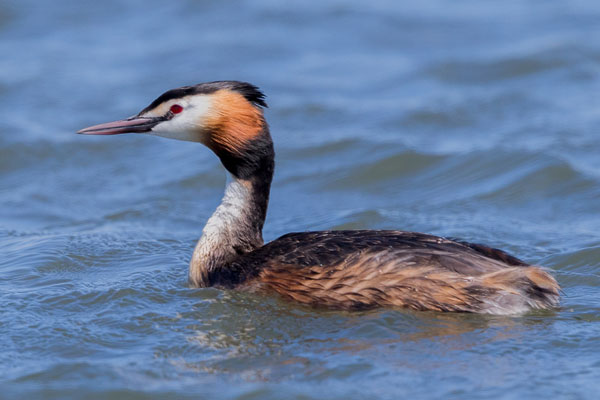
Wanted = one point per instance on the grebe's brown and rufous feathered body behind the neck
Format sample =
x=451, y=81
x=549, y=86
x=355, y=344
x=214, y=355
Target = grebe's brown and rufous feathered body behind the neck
x=365, y=269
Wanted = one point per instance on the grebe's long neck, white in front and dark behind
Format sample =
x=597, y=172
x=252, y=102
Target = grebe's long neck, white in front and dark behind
x=235, y=228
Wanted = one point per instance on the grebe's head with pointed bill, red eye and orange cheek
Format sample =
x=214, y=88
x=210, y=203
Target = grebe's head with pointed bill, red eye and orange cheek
x=226, y=116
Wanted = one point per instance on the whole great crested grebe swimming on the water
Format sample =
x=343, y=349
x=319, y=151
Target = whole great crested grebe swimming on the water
x=358, y=269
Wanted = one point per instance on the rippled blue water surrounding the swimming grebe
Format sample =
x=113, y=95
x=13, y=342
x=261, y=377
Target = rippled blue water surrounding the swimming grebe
x=470, y=119
